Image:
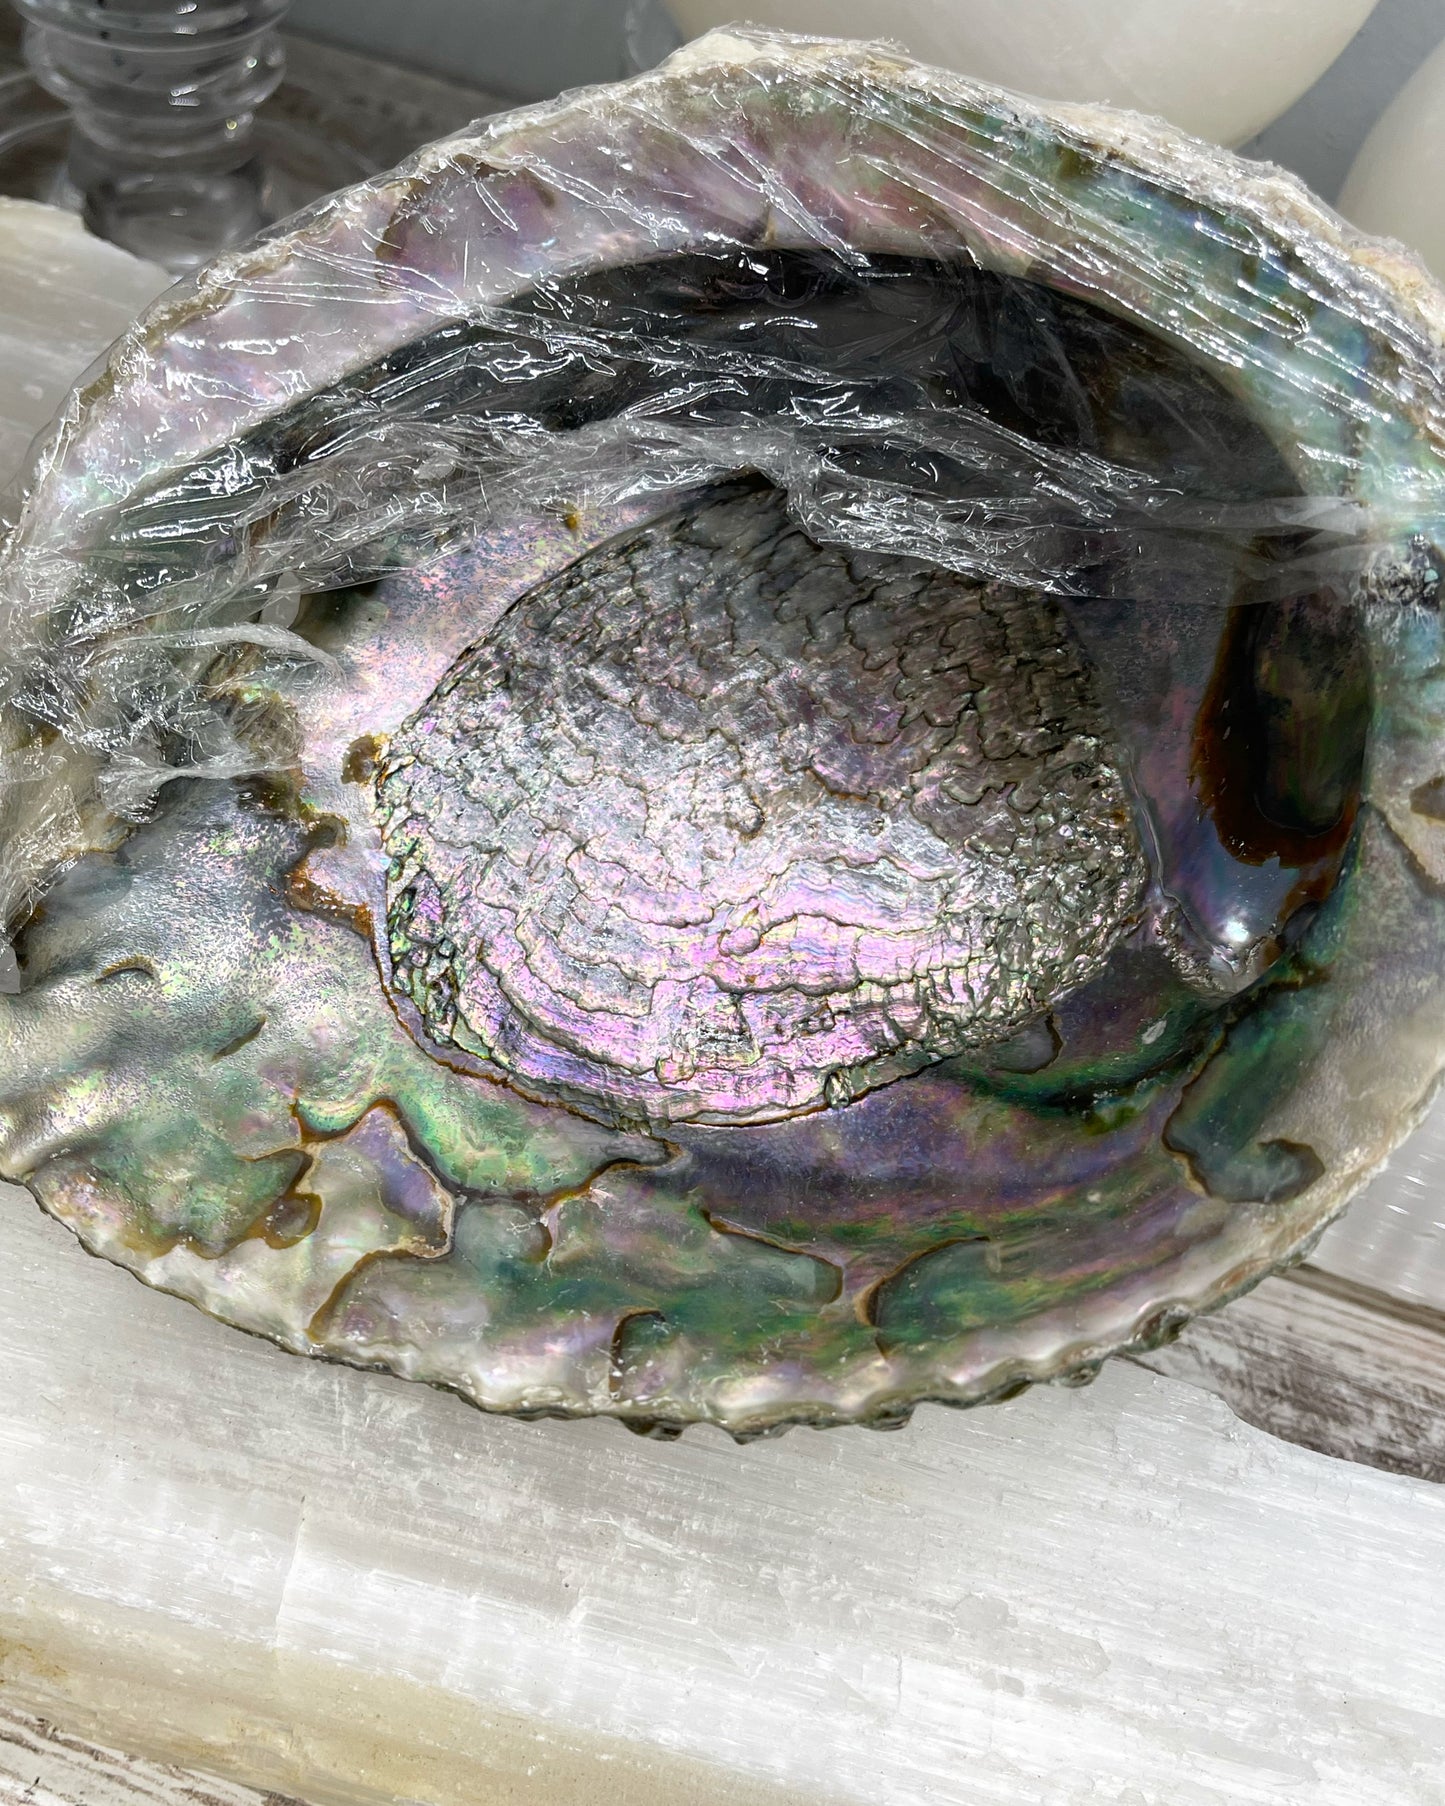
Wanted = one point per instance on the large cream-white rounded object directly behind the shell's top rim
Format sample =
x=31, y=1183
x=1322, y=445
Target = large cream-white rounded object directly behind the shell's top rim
x=1217, y=68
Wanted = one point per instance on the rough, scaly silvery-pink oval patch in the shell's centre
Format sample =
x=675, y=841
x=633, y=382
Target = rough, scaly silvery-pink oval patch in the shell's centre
x=727, y=824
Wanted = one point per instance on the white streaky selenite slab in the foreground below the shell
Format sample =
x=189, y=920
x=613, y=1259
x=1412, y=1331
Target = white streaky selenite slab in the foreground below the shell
x=330, y=1581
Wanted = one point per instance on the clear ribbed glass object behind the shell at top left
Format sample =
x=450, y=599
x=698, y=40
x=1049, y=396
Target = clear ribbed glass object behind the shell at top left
x=163, y=98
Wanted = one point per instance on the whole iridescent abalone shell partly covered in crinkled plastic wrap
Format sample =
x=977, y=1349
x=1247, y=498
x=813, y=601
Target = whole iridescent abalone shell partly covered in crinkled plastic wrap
x=752, y=747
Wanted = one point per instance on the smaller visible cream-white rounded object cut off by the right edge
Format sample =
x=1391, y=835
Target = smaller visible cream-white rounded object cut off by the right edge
x=1395, y=187
